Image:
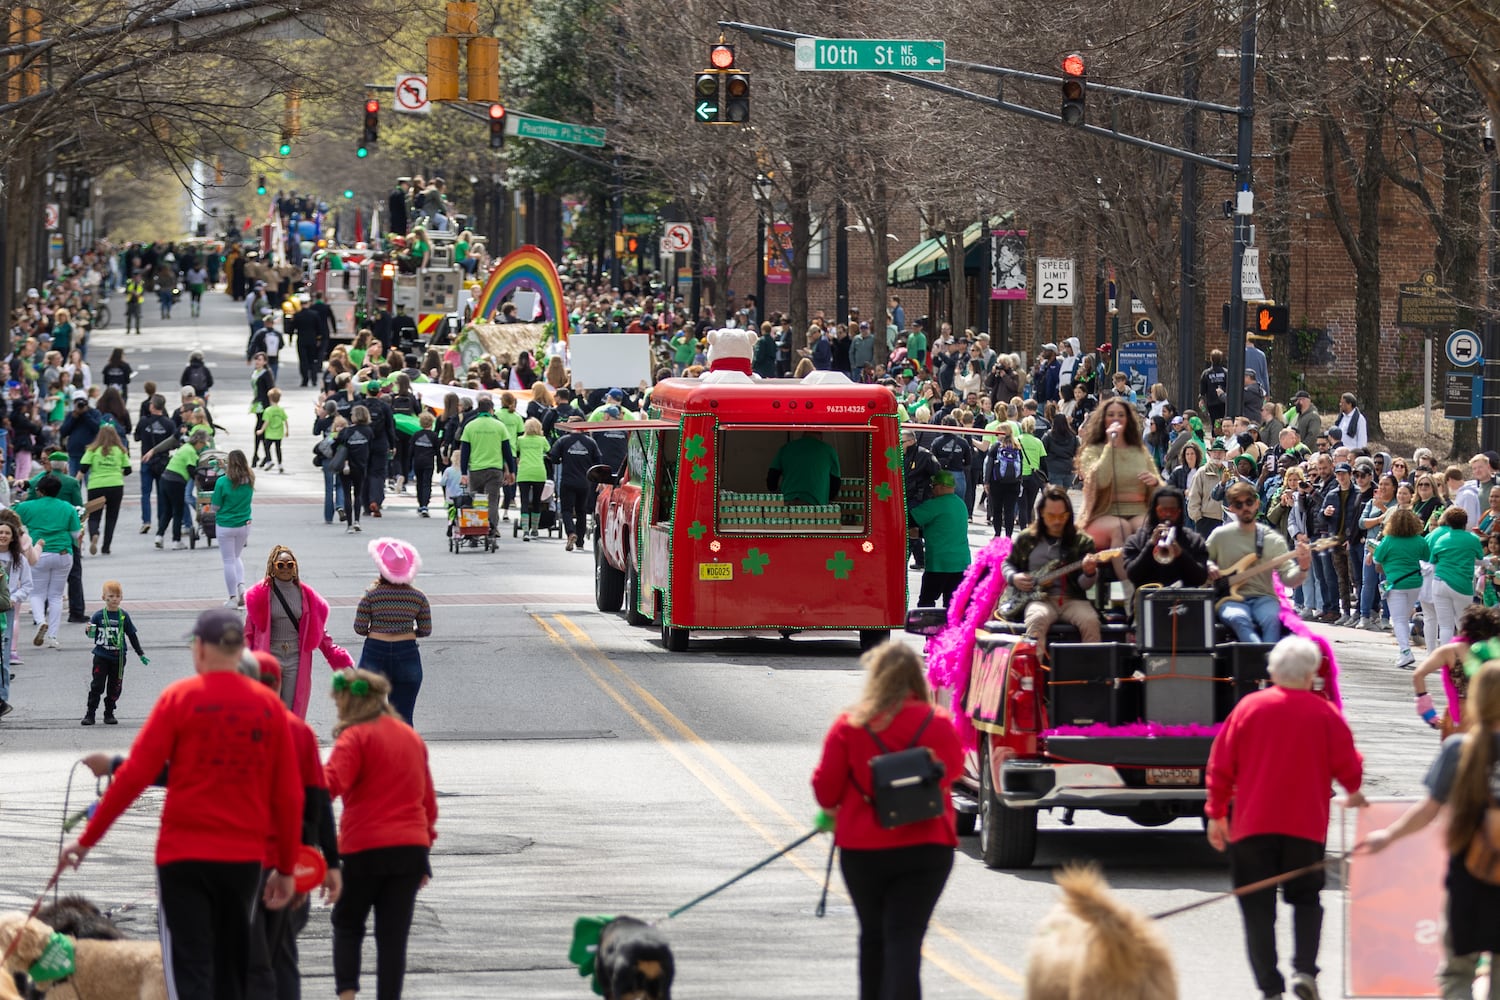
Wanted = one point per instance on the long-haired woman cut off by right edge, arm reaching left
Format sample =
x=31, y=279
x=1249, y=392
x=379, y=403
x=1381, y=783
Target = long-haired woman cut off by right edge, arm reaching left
x=1463, y=777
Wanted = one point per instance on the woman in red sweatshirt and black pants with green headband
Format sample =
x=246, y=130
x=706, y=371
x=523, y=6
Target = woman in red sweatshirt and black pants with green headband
x=379, y=767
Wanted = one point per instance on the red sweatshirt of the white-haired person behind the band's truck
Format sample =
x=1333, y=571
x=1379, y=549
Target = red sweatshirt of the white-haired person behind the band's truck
x=1277, y=759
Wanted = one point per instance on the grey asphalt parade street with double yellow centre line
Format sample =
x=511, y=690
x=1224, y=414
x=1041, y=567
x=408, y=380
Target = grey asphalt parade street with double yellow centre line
x=581, y=768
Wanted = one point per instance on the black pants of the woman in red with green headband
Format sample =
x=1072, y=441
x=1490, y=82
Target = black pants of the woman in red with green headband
x=385, y=879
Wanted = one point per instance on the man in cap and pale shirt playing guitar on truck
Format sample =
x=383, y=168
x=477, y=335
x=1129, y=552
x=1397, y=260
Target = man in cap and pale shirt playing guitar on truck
x=1258, y=615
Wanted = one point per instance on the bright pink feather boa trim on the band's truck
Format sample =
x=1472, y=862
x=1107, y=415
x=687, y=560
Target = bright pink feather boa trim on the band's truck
x=950, y=654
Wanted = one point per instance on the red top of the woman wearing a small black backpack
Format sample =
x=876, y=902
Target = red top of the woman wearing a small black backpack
x=842, y=779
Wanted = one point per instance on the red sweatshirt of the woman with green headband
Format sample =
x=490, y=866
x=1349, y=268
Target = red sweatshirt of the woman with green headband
x=382, y=771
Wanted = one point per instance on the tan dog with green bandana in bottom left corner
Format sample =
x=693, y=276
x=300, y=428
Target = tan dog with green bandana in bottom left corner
x=106, y=971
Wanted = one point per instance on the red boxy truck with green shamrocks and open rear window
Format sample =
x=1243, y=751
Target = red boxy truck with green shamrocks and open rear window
x=692, y=540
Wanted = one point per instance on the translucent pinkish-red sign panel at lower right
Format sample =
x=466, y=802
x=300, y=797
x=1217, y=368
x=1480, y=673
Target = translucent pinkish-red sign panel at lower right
x=1394, y=935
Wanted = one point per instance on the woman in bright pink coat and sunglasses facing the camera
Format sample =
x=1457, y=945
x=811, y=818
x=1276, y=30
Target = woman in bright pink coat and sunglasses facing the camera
x=287, y=618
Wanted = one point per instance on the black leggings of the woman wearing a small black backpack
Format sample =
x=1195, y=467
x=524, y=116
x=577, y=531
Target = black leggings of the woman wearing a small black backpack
x=895, y=893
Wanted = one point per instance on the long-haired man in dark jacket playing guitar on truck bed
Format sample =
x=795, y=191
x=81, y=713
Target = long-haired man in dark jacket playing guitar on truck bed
x=1054, y=540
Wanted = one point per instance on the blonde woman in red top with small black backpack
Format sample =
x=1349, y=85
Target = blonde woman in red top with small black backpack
x=895, y=876
